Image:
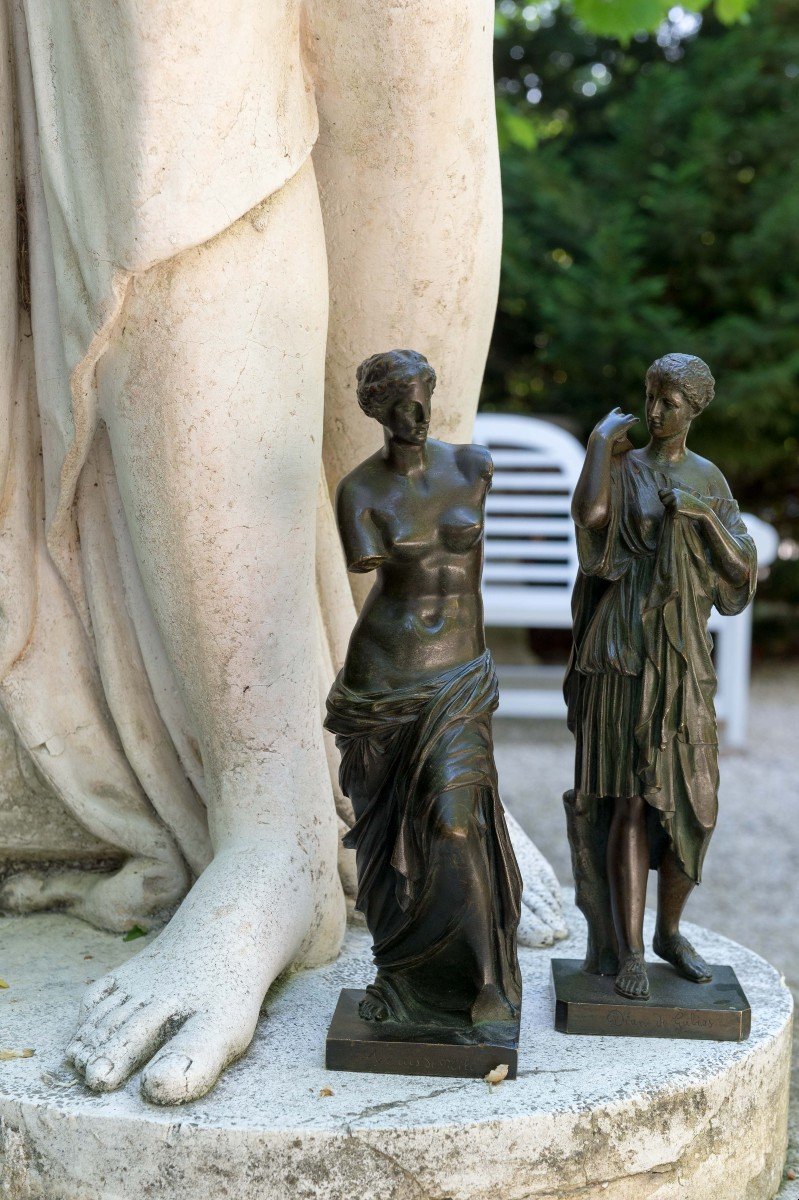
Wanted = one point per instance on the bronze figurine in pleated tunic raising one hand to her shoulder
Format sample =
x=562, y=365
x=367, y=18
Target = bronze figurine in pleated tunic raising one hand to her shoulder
x=660, y=542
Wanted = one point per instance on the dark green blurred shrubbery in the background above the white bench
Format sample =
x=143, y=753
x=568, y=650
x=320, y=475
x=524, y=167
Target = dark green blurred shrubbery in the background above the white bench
x=654, y=207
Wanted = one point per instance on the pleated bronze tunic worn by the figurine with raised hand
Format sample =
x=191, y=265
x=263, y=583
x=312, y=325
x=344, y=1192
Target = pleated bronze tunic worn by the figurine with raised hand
x=641, y=682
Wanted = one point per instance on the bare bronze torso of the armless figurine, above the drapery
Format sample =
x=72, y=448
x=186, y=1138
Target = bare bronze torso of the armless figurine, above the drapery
x=419, y=525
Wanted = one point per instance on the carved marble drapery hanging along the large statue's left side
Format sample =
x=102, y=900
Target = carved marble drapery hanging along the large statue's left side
x=119, y=175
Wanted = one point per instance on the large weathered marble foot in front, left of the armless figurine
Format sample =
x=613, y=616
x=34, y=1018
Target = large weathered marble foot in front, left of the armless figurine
x=188, y=1005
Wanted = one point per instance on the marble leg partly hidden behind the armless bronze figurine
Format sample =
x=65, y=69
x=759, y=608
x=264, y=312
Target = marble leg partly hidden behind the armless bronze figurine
x=408, y=176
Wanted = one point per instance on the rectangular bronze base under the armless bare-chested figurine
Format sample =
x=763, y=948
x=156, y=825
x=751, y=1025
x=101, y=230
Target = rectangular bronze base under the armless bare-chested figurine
x=392, y=1049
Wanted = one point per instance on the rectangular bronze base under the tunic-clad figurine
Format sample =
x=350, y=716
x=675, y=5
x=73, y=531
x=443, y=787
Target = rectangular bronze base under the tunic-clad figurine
x=677, y=1009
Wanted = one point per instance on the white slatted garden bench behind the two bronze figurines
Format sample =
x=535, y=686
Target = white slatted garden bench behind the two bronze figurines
x=532, y=561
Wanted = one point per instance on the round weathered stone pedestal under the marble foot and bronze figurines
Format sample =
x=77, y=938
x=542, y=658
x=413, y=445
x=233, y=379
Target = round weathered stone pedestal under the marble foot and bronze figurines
x=591, y=1119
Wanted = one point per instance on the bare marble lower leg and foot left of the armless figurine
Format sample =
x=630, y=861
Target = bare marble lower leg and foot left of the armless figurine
x=213, y=398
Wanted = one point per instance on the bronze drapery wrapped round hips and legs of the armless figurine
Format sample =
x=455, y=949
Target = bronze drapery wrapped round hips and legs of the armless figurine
x=436, y=867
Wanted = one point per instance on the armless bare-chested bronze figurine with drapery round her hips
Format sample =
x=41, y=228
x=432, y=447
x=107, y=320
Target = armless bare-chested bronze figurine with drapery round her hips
x=412, y=709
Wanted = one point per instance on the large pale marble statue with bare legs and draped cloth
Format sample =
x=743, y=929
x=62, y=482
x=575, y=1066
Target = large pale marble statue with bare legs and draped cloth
x=176, y=266
